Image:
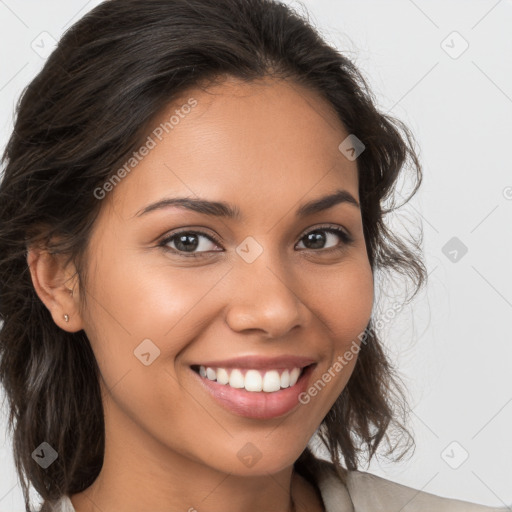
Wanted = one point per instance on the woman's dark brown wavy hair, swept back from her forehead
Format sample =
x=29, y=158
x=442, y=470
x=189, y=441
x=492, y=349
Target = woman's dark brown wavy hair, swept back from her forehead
x=85, y=112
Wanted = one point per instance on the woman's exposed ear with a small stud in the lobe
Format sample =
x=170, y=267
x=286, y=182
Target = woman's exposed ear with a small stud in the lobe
x=56, y=285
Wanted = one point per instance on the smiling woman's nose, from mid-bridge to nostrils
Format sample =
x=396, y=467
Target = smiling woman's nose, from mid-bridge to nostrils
x=262, y=298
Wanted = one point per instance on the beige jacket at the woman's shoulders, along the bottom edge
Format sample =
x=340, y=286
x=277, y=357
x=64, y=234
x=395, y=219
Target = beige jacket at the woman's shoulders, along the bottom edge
x=363, y=492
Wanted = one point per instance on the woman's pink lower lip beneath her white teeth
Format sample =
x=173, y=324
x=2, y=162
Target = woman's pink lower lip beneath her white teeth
x=254, y=404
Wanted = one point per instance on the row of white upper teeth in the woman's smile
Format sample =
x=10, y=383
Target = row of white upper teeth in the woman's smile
x=253, y=380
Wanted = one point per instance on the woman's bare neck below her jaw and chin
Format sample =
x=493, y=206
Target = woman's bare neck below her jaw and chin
x=139, y=472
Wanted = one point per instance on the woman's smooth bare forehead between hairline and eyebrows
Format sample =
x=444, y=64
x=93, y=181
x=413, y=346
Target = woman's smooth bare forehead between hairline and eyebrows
x=246, y=143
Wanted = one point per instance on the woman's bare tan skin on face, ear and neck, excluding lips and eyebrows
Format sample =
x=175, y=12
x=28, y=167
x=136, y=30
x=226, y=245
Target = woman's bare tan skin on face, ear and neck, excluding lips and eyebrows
x=266, y=147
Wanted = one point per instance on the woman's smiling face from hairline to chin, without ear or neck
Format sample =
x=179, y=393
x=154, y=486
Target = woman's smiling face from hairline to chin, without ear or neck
x=272, y=282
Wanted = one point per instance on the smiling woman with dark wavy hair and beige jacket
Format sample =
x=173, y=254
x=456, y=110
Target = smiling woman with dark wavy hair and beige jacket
x=191, y=221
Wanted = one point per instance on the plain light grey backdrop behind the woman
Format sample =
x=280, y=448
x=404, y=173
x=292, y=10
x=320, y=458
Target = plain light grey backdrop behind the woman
x=453, y=344
